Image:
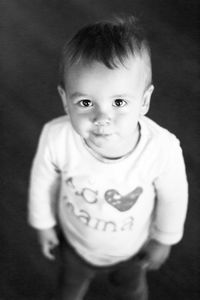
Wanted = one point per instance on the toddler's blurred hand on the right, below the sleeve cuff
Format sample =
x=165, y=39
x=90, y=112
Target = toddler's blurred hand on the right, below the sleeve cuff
x=154, y=255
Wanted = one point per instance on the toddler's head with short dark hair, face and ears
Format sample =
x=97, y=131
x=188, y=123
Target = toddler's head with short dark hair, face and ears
x=106, y=84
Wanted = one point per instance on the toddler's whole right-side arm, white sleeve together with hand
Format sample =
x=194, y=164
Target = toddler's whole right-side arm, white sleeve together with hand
x=170, y=209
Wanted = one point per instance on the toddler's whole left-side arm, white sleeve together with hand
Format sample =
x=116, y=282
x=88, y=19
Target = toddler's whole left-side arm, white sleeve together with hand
x=43, y=194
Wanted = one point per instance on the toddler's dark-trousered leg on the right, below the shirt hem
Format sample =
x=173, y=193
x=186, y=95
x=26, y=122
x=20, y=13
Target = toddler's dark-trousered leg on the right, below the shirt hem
x=128, y=281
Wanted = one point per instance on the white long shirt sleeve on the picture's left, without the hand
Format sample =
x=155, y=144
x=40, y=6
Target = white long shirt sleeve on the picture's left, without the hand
x=44, y=183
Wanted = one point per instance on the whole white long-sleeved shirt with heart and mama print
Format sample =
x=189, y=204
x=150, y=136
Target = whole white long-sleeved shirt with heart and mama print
x=108, y=209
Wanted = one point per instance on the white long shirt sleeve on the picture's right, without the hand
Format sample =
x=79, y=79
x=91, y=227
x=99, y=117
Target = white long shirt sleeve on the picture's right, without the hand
x=172, y=196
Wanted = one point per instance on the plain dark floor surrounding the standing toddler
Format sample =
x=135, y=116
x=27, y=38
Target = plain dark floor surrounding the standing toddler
x=31, y=35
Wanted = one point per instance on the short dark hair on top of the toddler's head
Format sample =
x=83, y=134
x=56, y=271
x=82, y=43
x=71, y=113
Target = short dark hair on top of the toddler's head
x=109, y=42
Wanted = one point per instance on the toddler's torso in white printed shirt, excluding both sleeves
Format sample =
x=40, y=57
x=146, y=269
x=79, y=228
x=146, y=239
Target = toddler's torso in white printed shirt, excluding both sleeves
x=106, y=209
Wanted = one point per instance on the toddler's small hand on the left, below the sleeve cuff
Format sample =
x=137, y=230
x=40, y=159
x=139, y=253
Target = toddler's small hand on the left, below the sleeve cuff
x=48, y=240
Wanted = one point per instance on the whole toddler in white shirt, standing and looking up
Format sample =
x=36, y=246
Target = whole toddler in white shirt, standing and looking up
x=110, y=178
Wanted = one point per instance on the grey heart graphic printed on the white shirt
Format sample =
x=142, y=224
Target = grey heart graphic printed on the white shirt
x=122, y=203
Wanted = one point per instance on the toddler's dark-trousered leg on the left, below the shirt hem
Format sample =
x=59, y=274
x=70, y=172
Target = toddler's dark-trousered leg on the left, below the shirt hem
x=76, y=276
